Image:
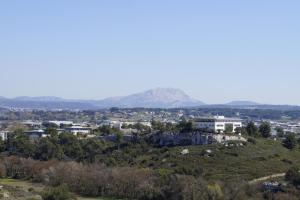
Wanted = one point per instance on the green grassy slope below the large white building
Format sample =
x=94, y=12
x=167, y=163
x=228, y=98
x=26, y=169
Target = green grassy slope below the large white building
x=243, y=163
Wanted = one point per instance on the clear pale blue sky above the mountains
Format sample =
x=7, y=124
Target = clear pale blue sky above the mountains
x=216, y=51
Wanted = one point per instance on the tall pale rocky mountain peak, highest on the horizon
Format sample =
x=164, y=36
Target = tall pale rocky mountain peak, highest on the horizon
x=155, y=98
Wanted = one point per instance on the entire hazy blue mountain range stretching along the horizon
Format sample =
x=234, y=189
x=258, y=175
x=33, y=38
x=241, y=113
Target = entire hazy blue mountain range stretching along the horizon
x=155, y=98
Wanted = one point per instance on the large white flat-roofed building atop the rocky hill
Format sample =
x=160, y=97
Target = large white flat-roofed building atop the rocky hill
x=218, y=124
